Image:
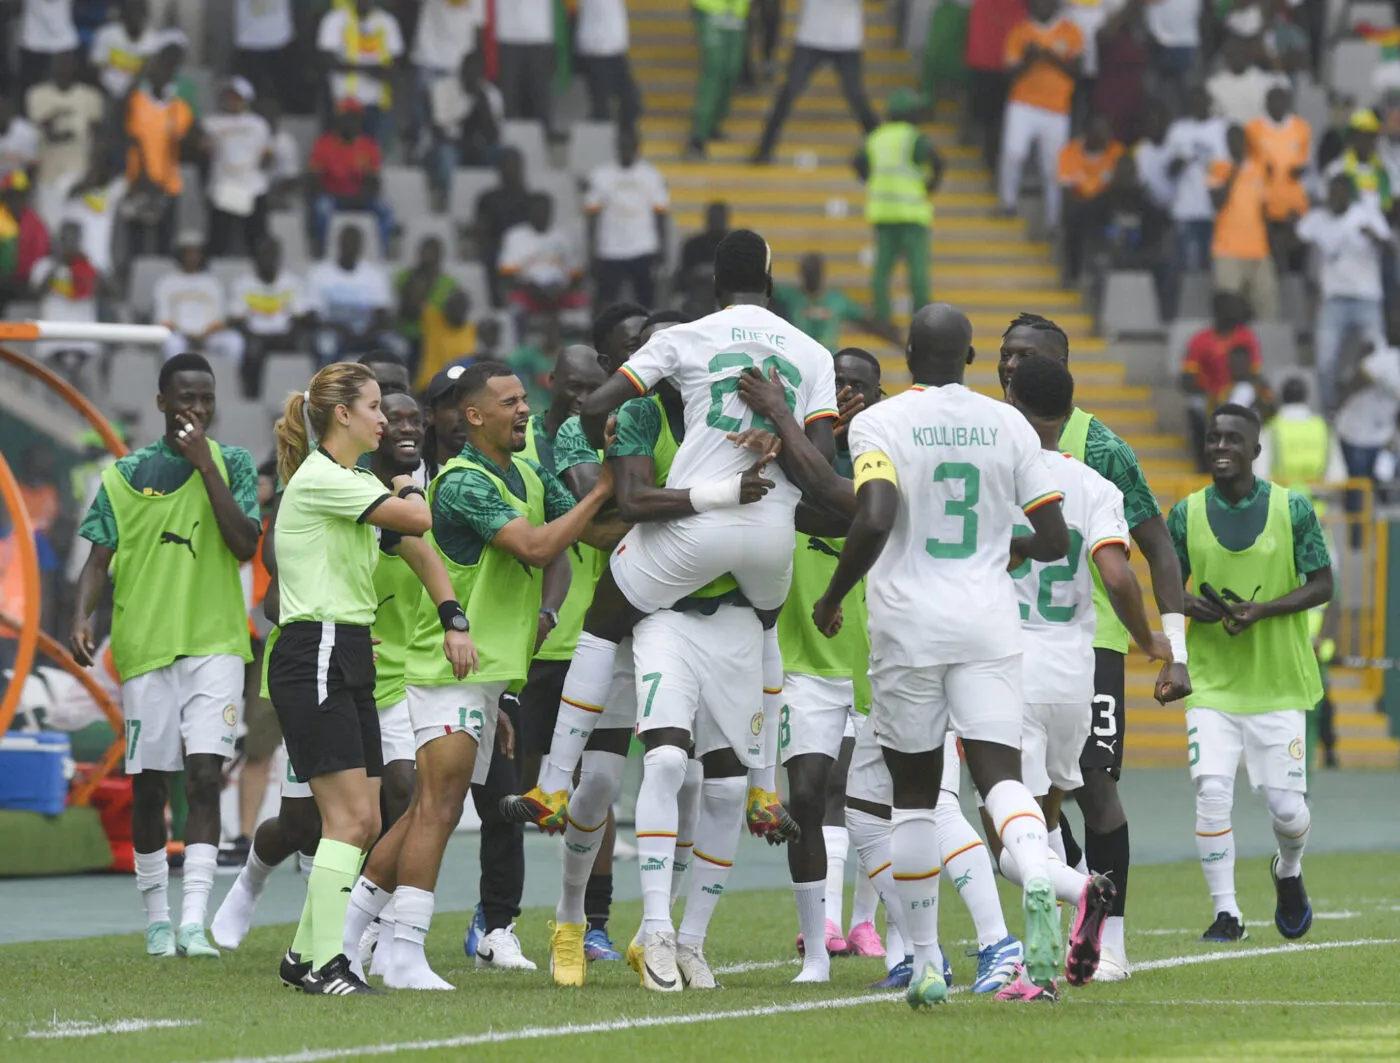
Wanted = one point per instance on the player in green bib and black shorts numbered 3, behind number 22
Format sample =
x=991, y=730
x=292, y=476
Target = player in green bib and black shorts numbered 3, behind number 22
x=1105, y=824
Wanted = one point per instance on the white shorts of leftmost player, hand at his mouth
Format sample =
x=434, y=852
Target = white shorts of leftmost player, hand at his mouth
x=190, y=707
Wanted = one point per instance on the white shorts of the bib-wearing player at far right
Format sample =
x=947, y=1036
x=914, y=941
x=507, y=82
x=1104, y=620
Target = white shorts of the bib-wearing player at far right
x=1275, y=747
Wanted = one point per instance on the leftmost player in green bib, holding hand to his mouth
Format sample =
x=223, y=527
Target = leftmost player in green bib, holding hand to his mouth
x=174, y=522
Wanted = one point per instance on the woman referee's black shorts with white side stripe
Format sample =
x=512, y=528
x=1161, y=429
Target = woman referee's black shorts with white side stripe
x=321, y=680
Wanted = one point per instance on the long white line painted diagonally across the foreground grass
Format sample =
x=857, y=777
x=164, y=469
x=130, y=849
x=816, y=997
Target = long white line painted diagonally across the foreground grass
x=836, y=1003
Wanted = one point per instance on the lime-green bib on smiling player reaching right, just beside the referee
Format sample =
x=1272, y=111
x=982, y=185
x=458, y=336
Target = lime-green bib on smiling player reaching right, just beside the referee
x=500, y=596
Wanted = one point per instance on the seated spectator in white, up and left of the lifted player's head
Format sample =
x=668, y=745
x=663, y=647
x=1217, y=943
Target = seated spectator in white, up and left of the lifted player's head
x=541, y=267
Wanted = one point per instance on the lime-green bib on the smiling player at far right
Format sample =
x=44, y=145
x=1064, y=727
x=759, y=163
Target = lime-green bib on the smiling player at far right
x=1269, y=667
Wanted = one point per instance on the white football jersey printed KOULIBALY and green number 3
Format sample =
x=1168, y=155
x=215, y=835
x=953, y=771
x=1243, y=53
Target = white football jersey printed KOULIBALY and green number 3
x=967, y=468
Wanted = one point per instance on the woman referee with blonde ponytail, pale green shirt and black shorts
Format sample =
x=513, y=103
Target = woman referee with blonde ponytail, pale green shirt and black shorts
x=321, y=673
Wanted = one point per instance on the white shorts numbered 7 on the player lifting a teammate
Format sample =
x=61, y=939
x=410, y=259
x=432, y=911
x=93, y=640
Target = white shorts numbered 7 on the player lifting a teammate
x=705, y=676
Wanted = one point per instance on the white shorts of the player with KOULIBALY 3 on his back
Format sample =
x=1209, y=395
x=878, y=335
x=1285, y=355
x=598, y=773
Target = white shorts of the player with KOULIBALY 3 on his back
x=915, y=708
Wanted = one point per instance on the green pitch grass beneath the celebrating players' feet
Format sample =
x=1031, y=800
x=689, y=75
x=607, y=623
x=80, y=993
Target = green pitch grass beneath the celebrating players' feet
x=1262, y=1001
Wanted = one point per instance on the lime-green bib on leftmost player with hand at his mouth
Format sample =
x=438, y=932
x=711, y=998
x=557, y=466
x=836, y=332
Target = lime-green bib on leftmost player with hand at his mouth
x=176, y=585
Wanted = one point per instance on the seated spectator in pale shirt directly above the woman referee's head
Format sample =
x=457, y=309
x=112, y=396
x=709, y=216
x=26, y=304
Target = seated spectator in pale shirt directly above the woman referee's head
x=352, y=300
